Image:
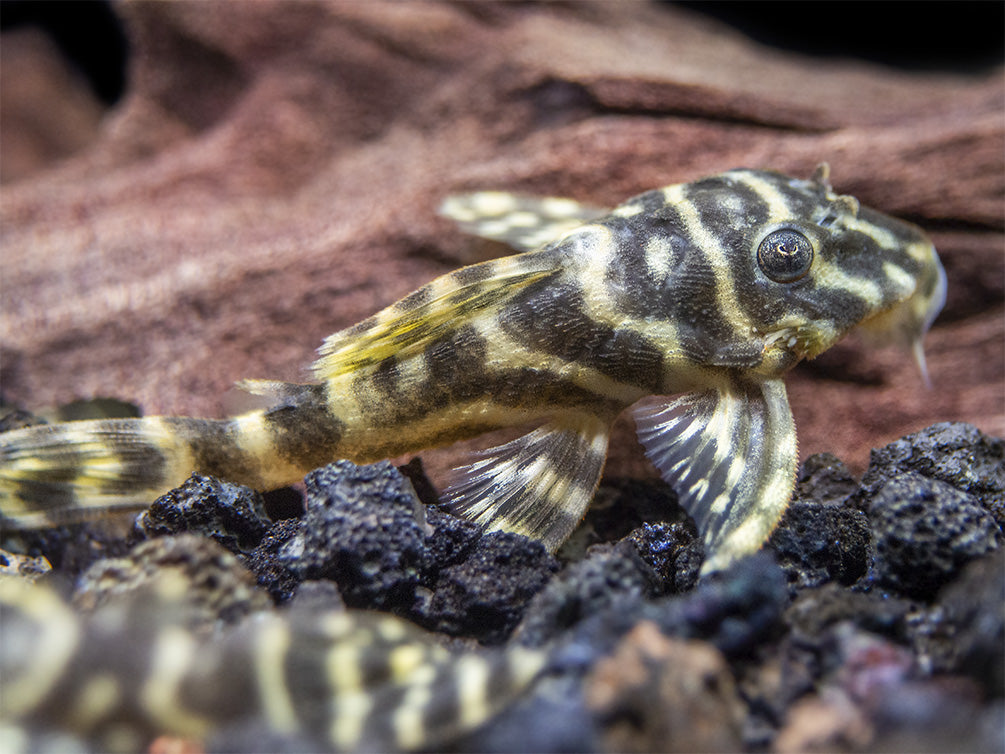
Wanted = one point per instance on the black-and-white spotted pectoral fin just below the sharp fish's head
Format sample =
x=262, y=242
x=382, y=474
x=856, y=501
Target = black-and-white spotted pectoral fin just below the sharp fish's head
x=731, y=456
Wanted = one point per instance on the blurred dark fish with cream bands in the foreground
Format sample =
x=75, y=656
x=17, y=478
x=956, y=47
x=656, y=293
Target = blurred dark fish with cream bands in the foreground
x=136, y=669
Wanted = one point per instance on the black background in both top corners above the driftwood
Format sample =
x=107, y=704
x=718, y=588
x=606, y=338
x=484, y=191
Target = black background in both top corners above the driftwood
x=956, y=37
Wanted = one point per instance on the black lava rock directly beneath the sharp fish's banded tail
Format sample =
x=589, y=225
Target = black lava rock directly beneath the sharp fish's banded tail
x=233, y=515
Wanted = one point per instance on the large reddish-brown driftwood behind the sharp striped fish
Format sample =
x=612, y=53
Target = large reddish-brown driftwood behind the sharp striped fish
x=274, y=171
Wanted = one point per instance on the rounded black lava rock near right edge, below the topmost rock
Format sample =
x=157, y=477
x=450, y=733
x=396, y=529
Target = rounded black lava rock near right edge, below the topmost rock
x=925, y=531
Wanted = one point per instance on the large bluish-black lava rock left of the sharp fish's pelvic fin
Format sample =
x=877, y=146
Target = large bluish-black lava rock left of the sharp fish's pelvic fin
x=365, y=530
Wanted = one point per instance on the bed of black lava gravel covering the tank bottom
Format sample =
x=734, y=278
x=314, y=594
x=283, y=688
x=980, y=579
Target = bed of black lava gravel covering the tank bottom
x=874, y=620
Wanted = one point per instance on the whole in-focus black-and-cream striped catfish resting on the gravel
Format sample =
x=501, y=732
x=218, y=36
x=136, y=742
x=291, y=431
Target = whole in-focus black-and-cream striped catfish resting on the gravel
x=708, y=291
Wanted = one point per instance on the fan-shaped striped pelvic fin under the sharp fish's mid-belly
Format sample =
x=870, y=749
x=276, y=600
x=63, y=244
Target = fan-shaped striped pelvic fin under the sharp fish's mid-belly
x=539, y=485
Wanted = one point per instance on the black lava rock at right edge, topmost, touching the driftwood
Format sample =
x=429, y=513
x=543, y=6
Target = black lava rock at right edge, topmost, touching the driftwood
x=955, y=453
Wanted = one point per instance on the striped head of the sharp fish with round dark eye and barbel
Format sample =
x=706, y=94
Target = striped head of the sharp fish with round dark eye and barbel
x=818, y=265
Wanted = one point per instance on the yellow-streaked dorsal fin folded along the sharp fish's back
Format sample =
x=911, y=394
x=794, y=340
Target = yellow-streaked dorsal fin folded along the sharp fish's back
x=445, y=305
